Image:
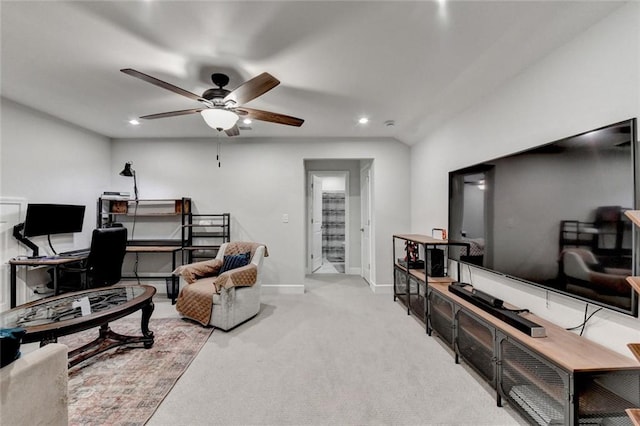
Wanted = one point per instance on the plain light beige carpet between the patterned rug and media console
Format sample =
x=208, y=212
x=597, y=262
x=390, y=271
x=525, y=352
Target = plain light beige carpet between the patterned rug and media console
x=336, y=355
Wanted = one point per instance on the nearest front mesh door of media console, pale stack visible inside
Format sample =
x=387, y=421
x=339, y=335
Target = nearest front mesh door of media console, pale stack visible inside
x=534, y=386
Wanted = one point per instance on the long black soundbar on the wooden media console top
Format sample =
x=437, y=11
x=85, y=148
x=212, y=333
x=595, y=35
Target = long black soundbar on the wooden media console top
x=493, y=305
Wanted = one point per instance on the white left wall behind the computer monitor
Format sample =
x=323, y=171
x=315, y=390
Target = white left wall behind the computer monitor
x=47, y=160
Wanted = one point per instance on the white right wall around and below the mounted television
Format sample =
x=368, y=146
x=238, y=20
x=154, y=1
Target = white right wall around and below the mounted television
x=590, y=82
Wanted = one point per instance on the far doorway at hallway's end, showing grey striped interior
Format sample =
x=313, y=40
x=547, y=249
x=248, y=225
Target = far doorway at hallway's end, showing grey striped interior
x=329, y=225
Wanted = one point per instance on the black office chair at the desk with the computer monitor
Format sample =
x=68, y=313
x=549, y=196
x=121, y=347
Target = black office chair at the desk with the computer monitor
x=103, y=266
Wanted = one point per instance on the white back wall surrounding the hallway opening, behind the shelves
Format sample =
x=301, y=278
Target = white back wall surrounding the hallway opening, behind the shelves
x=259, y=181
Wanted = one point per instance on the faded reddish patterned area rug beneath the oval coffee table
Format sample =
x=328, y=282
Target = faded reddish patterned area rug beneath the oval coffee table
x=125, y=385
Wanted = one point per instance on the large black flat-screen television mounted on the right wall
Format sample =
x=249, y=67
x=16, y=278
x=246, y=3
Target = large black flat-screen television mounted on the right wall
x=553, y=216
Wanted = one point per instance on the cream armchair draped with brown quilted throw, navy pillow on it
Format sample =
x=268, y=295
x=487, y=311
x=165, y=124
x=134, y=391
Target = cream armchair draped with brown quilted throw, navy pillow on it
x=223, y=292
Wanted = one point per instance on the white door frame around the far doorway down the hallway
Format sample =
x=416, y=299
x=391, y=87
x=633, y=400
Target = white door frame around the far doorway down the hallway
x=309, y=215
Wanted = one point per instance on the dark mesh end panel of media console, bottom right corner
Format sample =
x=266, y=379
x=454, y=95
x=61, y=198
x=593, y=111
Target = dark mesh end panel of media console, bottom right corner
x=603, y=397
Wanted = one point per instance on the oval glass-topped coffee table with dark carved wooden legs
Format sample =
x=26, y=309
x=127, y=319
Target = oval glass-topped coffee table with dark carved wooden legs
x=47, y=319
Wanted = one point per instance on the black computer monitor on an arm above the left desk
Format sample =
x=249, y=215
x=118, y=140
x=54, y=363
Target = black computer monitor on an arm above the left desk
x=50, y=219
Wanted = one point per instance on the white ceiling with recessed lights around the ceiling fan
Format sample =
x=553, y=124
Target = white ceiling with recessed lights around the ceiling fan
x=417, y=63
